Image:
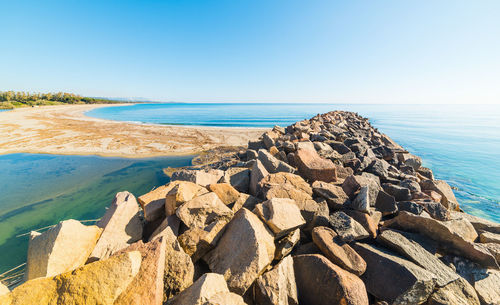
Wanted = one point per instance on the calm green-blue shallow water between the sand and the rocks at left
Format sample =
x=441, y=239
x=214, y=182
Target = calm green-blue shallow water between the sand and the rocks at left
x=39, y=190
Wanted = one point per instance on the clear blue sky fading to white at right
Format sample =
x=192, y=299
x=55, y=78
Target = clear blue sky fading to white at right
x=255, y=50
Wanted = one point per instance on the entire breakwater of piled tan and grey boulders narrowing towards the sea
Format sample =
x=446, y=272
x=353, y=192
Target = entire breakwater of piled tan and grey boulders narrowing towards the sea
x=325, y=211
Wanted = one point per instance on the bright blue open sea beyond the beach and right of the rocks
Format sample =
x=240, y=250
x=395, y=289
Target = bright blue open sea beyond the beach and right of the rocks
x=460, y=143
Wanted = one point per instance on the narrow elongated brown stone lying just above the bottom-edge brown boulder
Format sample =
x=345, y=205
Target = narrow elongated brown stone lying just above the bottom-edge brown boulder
x=338, y=252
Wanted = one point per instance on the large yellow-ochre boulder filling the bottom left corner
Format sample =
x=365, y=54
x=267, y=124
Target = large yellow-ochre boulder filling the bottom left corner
x=100, y=282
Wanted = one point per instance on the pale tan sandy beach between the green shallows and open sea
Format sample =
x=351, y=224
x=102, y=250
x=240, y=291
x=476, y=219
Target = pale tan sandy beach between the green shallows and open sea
x=66, y=130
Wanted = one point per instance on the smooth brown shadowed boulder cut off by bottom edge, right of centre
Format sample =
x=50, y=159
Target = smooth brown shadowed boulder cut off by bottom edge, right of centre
x=319, y=282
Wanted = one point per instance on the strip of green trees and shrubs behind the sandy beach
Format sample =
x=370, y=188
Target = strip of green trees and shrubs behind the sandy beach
x=12, y=99
